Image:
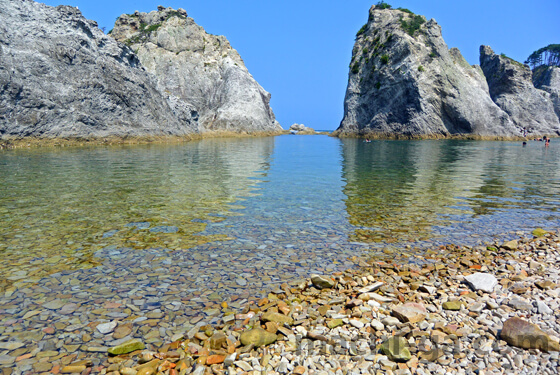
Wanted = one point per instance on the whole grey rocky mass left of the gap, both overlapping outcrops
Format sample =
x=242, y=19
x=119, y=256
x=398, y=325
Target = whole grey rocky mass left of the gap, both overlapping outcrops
x=157, y=74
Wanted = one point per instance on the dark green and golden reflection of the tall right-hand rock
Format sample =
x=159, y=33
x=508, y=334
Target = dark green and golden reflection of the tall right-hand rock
x=398, y=190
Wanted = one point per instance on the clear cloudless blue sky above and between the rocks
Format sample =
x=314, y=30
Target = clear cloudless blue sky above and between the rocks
x=299, y=51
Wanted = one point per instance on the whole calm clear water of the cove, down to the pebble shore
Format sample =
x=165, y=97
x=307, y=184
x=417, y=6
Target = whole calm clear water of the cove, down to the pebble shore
x=123, y=231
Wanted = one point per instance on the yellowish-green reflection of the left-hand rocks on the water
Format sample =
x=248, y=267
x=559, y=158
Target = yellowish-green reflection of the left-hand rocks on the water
x=60, y=206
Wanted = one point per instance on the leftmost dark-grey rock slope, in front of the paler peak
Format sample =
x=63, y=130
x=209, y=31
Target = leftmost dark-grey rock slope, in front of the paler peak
x=60, y=76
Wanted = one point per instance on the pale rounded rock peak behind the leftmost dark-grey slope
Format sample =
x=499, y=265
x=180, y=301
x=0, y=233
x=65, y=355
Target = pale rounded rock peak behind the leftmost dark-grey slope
x=199, y=68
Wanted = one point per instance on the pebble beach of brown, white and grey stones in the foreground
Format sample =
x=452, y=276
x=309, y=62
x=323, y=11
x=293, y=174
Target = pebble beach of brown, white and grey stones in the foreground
x=464, y=310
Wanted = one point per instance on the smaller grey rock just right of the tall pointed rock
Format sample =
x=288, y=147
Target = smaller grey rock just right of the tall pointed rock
x=511, y=88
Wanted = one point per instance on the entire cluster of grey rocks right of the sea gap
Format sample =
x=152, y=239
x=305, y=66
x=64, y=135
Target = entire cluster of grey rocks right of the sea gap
x=405, y=82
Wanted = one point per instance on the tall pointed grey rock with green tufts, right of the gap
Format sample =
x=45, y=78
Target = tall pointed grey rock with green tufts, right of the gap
x=404, y=81
